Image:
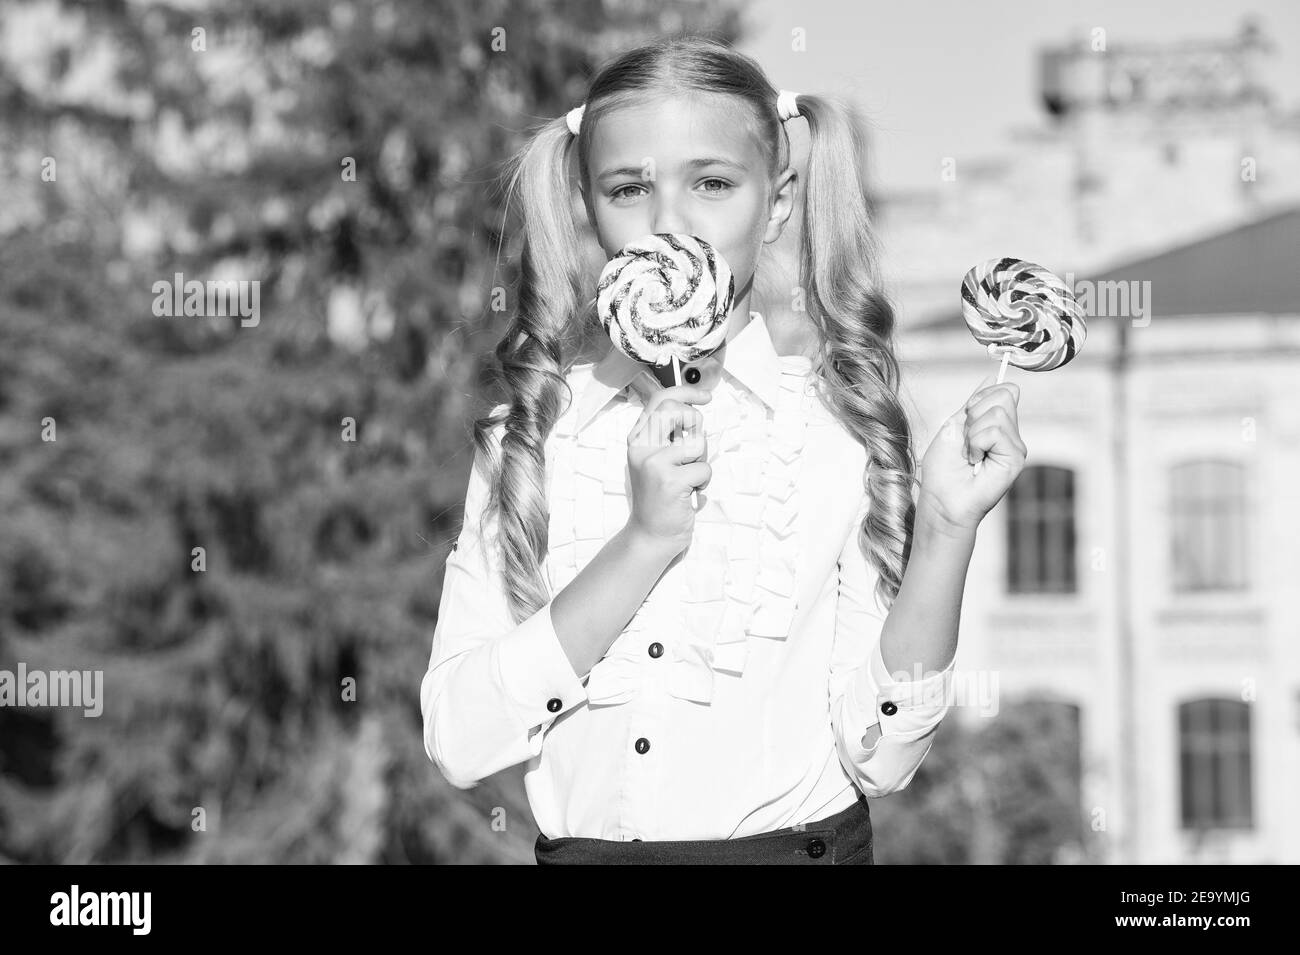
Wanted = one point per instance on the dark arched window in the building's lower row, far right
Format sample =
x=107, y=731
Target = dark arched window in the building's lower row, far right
x=1215, y=765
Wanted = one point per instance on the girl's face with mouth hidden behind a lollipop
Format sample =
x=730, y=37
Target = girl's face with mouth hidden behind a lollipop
x=690, y=166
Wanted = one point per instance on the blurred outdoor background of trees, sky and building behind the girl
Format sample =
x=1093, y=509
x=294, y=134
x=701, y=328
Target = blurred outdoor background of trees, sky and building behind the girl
x=241, y=520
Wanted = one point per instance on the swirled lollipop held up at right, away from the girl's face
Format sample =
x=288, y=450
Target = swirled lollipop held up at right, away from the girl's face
x=1024, y=314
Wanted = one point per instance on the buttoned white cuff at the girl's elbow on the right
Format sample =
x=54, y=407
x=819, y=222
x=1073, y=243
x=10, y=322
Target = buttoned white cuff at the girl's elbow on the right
x=905, y=709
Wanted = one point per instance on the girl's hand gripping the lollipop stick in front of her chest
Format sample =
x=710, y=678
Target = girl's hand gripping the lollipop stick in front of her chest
x=666, y=467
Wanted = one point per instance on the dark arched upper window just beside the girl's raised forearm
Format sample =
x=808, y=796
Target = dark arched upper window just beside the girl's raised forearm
x=1041, y=532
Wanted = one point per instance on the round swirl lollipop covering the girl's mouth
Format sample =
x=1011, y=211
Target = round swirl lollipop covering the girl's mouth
x=666, y=298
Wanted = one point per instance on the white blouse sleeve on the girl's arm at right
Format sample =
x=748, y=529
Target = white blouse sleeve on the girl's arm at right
x=864, y=693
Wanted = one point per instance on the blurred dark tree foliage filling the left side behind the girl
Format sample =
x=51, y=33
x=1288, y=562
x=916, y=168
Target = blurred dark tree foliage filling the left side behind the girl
x=323, y=557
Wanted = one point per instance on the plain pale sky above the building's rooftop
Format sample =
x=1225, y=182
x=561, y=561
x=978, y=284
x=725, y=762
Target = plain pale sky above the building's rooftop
x=951, y=77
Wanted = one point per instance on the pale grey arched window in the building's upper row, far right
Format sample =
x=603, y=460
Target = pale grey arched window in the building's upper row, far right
x=1208, y=523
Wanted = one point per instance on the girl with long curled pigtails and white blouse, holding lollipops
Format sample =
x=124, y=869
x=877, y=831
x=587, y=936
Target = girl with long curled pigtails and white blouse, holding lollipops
x=727, y=684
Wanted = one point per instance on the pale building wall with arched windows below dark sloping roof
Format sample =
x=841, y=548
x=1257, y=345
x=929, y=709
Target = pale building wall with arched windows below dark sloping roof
x=1143, y=565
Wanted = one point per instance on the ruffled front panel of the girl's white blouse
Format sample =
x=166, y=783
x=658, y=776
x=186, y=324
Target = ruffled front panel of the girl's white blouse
x=738, y=580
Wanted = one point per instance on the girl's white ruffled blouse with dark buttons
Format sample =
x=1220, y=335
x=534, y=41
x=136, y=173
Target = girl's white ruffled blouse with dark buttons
x=736, y=700
